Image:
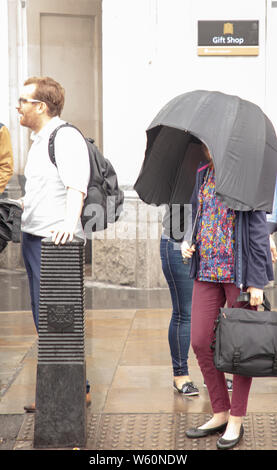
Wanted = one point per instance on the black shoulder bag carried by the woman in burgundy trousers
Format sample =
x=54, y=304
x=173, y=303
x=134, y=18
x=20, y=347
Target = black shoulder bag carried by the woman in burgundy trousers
x=246, y=340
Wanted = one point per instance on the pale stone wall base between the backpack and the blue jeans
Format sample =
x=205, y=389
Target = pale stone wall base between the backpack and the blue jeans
x=128, y=252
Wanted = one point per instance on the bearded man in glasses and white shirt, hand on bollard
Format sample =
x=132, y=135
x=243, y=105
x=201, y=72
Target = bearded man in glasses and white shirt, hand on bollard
x=54, y=196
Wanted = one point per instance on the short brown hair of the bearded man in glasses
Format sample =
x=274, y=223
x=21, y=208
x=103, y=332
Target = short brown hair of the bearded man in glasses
x=50, y=92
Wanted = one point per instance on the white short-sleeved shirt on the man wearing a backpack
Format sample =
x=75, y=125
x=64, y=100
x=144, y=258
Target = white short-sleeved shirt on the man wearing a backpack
x=46, y=185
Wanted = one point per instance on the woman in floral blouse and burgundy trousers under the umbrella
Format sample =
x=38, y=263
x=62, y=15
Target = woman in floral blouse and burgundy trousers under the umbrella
x=214, y=268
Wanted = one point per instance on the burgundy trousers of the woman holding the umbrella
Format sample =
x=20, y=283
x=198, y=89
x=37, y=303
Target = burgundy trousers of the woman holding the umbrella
x=207, y=299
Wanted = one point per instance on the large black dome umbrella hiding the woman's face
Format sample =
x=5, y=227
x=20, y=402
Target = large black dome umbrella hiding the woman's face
x=239, y=136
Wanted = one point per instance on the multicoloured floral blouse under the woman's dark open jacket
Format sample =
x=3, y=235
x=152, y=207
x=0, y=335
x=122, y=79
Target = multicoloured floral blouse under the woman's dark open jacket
x=216, y=236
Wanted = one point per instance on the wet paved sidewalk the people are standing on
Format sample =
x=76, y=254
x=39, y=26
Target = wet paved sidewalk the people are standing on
x=128, y=364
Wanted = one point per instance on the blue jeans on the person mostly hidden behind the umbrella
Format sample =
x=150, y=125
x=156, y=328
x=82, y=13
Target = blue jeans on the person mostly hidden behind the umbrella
x=180, y=286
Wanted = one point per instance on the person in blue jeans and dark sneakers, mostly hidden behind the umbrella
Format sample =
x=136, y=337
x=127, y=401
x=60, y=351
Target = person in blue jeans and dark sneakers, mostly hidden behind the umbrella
x=180, y=286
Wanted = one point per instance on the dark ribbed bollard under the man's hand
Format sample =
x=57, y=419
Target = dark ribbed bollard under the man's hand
x=60, y=418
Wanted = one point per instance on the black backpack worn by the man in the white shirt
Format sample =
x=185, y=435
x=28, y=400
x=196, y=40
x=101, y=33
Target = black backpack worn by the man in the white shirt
x=104, y=201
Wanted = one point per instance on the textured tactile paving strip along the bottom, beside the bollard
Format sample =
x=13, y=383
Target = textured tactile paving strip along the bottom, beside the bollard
x=163, y=431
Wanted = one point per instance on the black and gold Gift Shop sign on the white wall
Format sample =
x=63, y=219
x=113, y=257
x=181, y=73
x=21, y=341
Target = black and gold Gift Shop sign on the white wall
x=228, y=38
